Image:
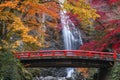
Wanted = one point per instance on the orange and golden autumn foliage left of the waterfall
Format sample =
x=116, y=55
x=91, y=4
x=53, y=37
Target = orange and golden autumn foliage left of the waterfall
x=23, y=22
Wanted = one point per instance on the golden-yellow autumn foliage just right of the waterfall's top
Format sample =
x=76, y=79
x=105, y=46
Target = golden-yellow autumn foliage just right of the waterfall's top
x=82, y=10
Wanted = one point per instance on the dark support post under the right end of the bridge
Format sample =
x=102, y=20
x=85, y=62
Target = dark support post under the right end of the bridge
x=103, y=73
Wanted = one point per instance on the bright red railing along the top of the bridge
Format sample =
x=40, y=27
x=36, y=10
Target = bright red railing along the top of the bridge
x=65, y=53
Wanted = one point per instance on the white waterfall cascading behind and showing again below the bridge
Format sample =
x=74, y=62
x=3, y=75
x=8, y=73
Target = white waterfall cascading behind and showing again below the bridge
x=71, y=36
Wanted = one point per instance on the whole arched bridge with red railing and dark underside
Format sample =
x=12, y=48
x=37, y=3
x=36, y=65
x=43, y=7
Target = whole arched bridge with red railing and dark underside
x=66, y=58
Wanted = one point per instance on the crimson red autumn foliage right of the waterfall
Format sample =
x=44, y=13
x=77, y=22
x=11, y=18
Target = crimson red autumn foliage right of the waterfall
x=107, y=28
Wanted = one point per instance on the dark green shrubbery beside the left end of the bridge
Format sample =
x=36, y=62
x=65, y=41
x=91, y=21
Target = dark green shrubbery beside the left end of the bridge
x=11, y=69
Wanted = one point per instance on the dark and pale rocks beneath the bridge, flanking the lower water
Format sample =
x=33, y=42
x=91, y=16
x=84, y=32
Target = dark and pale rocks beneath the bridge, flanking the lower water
x=57, y=74
